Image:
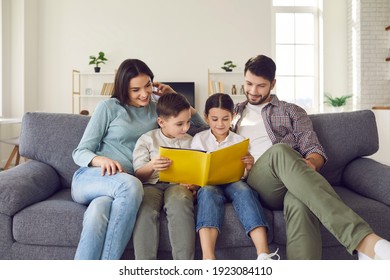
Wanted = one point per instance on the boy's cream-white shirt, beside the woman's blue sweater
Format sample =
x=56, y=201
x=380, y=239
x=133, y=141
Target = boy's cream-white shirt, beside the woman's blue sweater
x=147, y=147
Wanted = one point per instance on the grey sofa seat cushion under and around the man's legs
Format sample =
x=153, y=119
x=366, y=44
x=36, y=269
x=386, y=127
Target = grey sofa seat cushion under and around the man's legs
x=374, y=212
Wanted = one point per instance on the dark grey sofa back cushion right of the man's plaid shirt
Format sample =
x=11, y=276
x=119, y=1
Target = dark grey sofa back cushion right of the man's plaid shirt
x=345, y=136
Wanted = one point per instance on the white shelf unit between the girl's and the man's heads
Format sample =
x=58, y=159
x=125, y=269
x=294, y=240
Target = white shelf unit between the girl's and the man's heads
x=220, y=81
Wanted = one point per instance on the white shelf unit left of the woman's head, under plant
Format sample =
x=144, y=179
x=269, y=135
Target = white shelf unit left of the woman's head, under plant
x=88, y=88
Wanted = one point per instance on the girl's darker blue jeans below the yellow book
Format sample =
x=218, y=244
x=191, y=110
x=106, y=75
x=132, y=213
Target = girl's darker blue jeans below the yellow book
x=211, y=200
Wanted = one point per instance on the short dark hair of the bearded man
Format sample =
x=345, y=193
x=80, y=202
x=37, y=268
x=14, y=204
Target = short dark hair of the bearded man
x=261, y=66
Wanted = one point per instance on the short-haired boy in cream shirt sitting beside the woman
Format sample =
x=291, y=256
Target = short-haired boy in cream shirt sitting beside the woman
x=174, y=114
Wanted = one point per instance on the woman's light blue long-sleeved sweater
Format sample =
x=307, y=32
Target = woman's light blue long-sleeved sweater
x=113, y=131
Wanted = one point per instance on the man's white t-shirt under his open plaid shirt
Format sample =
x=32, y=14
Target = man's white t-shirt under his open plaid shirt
x=252, y=126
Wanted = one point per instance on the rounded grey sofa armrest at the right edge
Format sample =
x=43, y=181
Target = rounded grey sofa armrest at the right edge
x=369, y=178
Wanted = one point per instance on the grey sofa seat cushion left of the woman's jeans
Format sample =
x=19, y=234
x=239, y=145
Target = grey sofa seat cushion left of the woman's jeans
x=56, y=221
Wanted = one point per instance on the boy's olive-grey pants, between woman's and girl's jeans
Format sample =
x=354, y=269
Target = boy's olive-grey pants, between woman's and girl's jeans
x=178, y=204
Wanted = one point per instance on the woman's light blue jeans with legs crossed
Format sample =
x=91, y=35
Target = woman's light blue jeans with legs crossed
x=110, y=217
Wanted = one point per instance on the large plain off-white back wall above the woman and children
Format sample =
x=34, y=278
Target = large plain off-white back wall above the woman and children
x=178, y=39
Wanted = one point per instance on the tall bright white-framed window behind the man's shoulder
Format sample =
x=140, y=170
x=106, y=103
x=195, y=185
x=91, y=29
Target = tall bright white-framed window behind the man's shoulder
x=297, y=51
